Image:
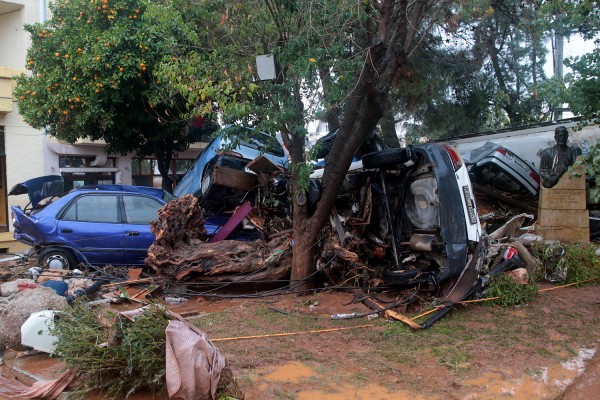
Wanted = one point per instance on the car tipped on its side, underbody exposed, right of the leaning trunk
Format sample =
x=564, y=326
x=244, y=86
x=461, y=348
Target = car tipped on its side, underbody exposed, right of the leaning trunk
x=423, y=211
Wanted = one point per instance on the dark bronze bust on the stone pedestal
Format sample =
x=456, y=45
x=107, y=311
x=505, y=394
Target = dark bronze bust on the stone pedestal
x=557, y=160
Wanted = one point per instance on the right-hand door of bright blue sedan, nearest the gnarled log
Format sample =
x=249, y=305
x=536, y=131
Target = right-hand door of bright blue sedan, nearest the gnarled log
x=138, y=211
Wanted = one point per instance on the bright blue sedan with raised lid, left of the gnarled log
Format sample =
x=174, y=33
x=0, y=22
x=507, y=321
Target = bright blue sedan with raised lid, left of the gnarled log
x=94, y=225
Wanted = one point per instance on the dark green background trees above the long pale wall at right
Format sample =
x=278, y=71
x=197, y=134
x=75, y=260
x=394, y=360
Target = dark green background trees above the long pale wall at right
x=481, y=73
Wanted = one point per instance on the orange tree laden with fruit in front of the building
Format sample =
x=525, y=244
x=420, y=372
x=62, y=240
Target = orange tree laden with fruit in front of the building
x=92, y=77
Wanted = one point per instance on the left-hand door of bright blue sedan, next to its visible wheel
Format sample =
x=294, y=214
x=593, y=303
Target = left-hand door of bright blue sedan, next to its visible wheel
x=91, y=224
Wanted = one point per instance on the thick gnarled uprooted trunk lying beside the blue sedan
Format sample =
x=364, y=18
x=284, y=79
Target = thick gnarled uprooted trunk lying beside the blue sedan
x=180, y=252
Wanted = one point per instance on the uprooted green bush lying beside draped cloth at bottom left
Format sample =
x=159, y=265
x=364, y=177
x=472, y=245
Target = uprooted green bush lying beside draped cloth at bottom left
x=133, y=360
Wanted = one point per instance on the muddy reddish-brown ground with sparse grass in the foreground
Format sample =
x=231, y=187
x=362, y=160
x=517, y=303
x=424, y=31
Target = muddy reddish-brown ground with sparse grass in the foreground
x=543, y=350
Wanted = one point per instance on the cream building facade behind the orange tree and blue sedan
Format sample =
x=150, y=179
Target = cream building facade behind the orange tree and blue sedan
x=27, y=153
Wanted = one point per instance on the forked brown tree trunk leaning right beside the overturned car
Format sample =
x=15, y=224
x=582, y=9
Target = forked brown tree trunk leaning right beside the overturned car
x=394, y=31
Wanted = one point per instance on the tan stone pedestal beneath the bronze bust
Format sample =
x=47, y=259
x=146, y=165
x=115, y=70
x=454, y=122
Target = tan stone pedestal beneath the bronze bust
x=562, y=213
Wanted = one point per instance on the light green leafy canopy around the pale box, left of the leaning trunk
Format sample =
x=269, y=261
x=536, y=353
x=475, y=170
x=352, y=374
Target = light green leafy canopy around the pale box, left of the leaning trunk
x=305, y=37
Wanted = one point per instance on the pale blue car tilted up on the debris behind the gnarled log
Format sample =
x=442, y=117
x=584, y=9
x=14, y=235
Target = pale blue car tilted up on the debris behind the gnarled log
x=218, y=176
